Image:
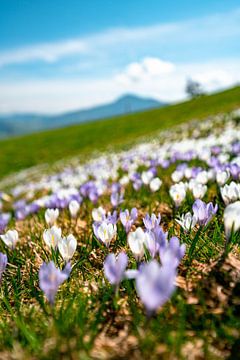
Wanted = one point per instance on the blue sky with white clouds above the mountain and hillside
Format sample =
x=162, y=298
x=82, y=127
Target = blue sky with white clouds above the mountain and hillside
x=58, y=56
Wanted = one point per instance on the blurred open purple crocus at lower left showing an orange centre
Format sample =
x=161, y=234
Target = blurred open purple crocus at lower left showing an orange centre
x=50, y=278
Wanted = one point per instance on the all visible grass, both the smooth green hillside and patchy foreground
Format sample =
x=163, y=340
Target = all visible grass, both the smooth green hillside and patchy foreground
x=88, y=321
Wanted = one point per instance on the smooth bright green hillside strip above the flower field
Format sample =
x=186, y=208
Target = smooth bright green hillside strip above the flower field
x=49, y=146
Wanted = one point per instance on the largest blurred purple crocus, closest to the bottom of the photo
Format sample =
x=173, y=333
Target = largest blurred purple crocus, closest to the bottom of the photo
x=155, y=284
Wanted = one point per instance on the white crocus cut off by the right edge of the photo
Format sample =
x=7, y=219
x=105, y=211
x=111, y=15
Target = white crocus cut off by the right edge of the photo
x=232, y=218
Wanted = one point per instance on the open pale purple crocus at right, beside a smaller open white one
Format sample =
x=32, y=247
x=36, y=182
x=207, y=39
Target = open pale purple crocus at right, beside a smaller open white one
x=204, y=212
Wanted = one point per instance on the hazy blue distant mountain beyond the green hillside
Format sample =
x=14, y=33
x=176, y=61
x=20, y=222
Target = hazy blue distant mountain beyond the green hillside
x=27, y=123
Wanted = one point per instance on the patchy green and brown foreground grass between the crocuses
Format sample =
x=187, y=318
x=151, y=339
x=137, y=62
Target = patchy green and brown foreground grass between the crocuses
x=88, y=321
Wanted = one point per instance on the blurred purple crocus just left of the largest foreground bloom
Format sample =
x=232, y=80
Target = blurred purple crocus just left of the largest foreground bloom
x=114, y=267
